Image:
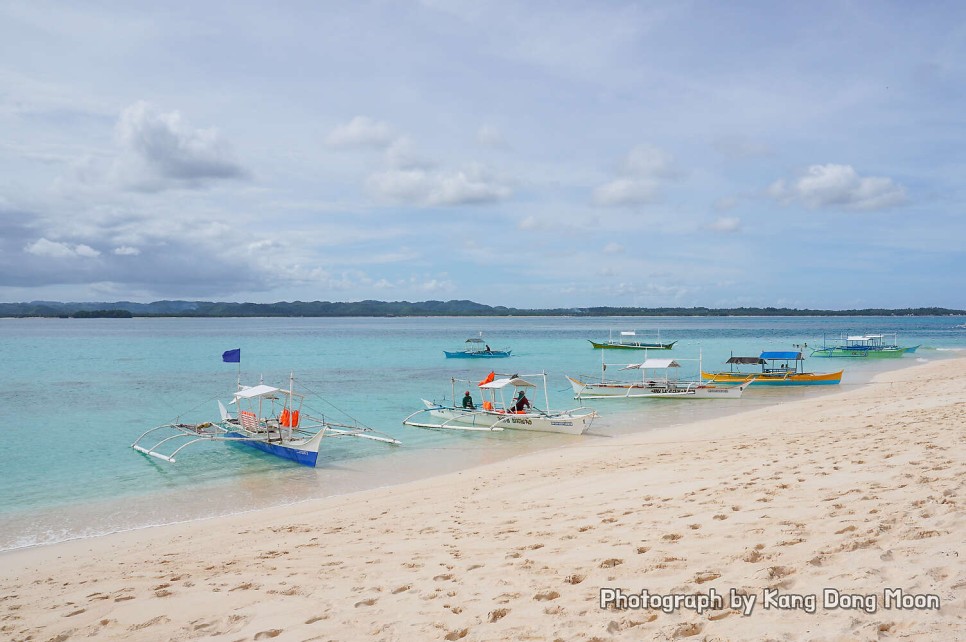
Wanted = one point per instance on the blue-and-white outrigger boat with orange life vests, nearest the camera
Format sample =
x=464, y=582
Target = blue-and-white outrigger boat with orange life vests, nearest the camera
x=269, y=419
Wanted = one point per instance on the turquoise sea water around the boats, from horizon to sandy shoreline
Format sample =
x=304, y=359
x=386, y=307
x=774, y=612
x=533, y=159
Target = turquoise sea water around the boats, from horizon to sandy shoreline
x=76, y=393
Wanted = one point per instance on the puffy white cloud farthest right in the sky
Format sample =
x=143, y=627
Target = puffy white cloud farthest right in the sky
x=831, y=185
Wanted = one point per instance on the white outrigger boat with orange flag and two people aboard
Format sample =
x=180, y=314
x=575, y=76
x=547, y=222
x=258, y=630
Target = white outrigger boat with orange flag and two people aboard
x=495, y=414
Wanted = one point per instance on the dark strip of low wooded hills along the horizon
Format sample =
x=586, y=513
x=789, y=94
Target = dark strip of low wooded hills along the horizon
x=127, y=309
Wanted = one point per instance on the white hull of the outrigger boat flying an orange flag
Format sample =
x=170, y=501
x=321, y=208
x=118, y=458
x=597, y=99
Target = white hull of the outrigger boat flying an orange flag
x=563, y=423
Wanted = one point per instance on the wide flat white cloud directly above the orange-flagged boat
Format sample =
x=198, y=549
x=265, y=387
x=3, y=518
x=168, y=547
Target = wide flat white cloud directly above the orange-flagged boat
x=421, y=187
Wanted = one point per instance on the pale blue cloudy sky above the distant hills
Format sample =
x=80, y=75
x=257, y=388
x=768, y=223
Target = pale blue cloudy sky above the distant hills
x=527, y=154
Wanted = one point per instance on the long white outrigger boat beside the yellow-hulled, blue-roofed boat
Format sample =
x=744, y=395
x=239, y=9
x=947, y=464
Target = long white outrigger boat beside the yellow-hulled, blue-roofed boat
x=651, y=387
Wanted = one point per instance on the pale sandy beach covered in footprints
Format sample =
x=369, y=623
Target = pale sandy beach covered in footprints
x=859, y=492
